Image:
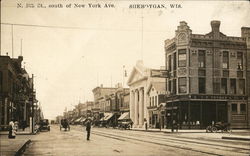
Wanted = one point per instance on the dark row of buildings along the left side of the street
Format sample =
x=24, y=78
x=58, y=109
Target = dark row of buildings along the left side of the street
x=16, y=92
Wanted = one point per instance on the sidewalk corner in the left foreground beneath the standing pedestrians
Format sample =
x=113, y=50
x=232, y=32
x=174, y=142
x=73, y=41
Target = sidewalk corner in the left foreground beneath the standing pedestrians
x=11, y=147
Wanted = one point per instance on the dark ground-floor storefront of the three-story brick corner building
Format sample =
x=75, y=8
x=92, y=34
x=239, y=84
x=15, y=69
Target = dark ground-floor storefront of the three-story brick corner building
x=198, y=112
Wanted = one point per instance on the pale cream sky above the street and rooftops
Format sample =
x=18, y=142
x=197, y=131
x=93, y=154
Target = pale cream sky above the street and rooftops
x=86, y=47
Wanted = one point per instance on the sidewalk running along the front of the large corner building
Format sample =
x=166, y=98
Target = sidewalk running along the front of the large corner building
x=243, y=135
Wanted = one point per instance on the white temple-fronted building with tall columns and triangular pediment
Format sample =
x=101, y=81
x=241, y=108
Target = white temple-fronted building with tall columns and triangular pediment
x=139, y=81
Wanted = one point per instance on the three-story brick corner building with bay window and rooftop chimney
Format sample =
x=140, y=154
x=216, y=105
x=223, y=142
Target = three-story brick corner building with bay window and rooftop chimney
x=208, y=78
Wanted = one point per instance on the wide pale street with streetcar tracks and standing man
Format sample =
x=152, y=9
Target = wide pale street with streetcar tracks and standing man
x=114, y=142
